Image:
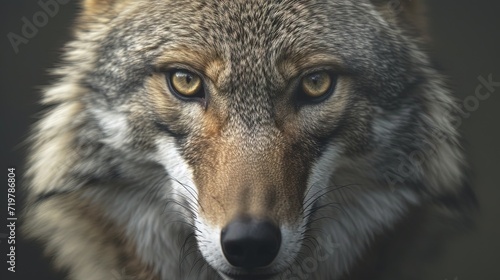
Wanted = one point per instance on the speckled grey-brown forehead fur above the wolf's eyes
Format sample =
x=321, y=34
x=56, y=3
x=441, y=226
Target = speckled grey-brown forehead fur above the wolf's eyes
x=249, y=37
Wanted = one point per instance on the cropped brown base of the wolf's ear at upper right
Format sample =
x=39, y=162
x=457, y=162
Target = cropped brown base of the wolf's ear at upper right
x=409, y=11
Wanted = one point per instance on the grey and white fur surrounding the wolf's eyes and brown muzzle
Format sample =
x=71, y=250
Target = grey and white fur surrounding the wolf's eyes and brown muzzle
x=101, y=146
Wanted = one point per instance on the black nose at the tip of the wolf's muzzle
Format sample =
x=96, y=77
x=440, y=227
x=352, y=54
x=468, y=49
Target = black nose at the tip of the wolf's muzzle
x=250, y=243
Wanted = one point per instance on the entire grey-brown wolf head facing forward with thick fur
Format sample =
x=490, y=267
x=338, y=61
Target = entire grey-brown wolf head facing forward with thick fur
x=259, y=128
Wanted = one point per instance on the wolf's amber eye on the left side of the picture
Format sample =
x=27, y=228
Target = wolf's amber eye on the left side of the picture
x=186, y=84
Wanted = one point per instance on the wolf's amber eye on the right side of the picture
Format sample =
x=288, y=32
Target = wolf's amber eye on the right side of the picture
x=317, y=85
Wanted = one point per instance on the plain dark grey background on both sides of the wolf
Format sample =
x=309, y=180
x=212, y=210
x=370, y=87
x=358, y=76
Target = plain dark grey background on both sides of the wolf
x=466, y=42
